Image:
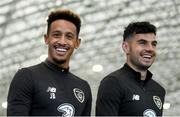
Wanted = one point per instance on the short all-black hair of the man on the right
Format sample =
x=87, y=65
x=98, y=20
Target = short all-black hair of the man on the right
x=138, y=28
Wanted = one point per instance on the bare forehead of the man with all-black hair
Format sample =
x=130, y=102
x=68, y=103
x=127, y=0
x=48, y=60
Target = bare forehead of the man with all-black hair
x=146, y=36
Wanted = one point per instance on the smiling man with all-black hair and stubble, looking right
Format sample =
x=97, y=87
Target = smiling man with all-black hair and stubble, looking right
x=131, y=91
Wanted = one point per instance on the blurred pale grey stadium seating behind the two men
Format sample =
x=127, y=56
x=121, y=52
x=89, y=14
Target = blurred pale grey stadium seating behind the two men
x=23, y=23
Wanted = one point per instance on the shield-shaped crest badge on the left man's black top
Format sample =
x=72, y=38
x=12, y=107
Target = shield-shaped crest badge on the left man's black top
x=79, y=94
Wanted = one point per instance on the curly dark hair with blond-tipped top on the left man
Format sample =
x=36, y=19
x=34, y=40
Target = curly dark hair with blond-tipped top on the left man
x=65, y=14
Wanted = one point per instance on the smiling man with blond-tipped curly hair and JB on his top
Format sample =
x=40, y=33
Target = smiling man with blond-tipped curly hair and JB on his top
x=49, y=89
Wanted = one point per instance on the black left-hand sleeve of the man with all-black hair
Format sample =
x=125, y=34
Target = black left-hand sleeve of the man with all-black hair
x=109, y=97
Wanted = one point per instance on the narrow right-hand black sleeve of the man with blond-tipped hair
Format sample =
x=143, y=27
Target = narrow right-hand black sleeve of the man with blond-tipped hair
x=87, y=110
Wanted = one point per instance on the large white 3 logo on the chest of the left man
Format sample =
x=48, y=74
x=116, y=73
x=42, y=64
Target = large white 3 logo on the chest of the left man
x=67, y=110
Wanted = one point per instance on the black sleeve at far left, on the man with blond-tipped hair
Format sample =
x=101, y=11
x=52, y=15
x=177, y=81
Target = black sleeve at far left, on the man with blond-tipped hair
x=20, y=94
